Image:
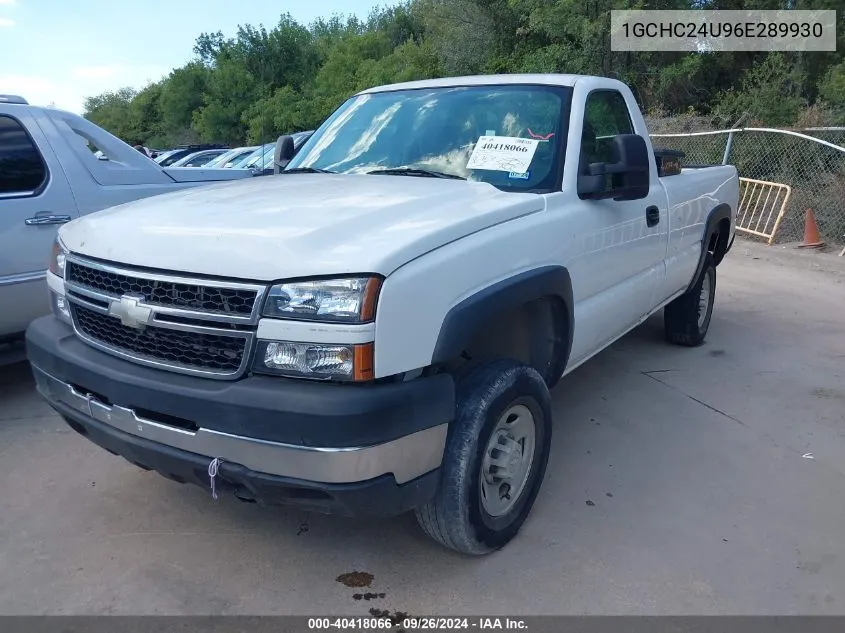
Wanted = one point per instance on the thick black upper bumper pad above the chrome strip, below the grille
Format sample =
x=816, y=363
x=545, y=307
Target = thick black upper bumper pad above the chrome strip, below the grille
x=269, y=408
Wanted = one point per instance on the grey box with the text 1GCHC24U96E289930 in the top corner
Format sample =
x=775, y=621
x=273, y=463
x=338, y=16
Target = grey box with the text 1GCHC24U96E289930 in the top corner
x=714, y=31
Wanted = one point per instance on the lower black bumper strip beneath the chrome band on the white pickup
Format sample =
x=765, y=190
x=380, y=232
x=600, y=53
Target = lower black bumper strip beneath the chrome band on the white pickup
x=377, y=497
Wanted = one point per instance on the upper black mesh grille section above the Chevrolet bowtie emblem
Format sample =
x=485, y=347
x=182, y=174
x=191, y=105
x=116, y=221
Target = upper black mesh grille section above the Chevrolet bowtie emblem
x=233, y=301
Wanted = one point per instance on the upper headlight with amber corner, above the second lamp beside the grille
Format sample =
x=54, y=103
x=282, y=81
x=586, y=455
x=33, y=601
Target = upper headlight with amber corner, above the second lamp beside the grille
x=348, y=300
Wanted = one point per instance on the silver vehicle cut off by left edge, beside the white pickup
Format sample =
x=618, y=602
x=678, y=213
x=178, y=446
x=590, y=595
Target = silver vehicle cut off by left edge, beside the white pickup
x=50, y=174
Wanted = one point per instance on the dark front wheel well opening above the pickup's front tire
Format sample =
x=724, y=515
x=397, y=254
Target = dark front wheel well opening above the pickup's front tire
x=535, y=333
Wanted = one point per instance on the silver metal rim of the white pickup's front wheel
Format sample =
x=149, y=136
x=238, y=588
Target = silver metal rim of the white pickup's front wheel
x=507, y=460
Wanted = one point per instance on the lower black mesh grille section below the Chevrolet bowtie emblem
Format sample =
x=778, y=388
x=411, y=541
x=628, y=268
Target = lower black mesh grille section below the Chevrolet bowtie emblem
x=192, y=350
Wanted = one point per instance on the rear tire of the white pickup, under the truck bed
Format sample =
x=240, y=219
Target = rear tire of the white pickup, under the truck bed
x=687, y=319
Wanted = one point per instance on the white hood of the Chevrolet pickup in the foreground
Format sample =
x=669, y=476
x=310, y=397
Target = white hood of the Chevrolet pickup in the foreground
x=296, y=225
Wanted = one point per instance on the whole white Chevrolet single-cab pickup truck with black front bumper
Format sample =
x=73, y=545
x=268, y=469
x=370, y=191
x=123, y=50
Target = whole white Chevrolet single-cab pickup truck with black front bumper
x=376, y=330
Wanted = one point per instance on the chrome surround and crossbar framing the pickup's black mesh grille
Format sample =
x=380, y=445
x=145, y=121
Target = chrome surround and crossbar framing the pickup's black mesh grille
x=219, y=324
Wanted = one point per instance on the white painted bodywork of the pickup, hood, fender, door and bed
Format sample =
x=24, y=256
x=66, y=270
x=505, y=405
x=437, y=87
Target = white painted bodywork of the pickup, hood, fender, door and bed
x=622, y=271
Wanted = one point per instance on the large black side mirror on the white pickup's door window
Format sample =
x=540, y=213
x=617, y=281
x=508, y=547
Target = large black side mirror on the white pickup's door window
x=626, y=177
